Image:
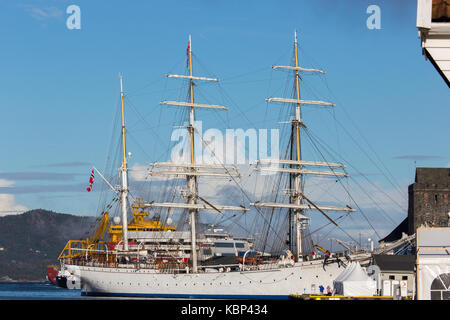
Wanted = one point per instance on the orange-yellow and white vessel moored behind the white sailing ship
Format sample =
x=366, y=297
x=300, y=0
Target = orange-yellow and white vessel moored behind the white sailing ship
x=148, y=236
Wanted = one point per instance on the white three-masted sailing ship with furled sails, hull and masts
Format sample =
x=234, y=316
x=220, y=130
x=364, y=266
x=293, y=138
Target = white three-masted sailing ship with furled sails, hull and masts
x=247, y=276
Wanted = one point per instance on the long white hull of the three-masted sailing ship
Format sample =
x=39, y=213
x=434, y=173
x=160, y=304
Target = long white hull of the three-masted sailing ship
x=303, y=277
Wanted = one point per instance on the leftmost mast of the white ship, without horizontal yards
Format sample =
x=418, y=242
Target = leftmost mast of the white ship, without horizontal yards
x=124, y=175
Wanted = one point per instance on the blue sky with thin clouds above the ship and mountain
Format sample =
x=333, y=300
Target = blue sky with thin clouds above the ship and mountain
x=59, y=87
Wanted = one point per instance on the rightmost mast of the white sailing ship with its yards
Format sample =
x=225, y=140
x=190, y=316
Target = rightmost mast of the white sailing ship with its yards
x=297, y=167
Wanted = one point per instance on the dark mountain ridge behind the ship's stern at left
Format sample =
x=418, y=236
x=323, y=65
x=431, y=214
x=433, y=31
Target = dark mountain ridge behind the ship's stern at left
x=34, y=239
